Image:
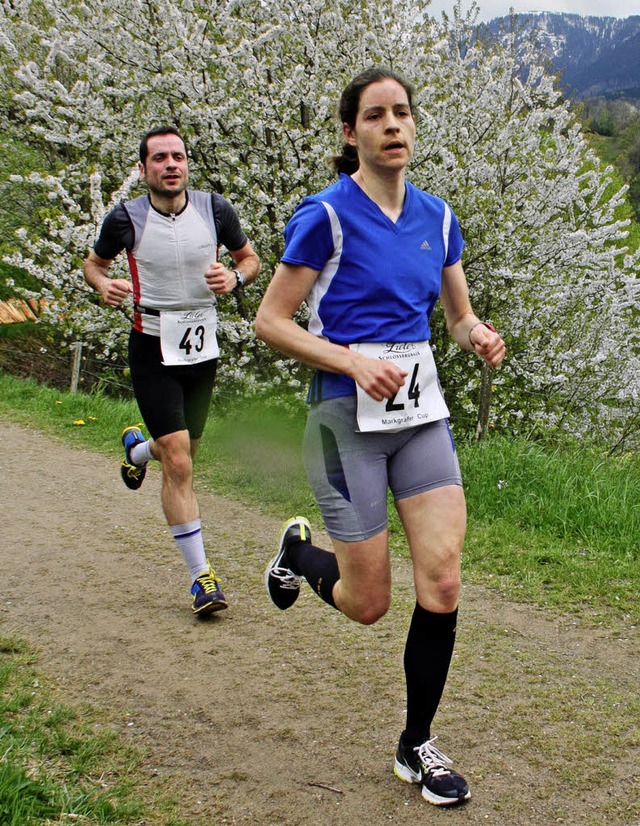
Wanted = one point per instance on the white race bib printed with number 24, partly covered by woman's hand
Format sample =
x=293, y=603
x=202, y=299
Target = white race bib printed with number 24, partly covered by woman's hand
x=417, y=402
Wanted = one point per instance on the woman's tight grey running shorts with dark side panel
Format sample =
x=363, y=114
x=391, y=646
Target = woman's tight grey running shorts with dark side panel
x=350, y=471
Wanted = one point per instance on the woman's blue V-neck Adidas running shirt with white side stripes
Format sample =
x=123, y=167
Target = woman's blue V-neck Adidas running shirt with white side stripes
x=378, y=281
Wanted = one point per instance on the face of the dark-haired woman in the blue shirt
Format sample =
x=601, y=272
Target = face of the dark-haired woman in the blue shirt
x=385, y=131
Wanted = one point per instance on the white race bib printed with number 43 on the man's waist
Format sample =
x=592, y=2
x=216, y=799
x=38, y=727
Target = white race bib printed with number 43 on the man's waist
x=188, y=336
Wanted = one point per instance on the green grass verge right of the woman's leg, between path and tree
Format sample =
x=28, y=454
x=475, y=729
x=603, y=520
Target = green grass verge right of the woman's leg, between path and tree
x=558, y=527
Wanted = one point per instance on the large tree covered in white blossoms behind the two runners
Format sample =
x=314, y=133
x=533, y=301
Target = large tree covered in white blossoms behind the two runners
x=254, y=86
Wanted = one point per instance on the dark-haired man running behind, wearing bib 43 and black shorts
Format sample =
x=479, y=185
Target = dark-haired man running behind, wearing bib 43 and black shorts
x=172, y=237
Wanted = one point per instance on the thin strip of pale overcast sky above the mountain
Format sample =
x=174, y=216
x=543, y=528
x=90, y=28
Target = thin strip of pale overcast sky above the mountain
x=499, y=8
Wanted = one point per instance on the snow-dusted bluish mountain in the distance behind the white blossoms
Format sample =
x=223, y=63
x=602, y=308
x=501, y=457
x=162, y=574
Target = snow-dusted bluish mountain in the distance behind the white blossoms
x=595, y=55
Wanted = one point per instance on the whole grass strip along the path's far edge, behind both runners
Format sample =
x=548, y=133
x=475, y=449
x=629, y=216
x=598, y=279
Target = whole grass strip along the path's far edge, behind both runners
x=557, y=527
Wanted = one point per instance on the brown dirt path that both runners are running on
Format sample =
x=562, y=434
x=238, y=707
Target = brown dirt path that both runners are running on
x=269, y=718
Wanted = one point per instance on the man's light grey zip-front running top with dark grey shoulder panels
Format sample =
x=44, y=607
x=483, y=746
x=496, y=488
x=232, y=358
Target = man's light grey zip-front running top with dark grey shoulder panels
x=169, y=258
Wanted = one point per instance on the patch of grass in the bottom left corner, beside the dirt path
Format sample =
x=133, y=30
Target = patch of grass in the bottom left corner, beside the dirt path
x=60, y=765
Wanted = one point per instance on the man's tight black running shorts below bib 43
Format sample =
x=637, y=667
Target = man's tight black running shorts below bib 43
x=169, y=398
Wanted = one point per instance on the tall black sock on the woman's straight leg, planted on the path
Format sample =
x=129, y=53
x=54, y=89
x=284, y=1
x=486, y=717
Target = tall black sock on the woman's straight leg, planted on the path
x=427, y=657
